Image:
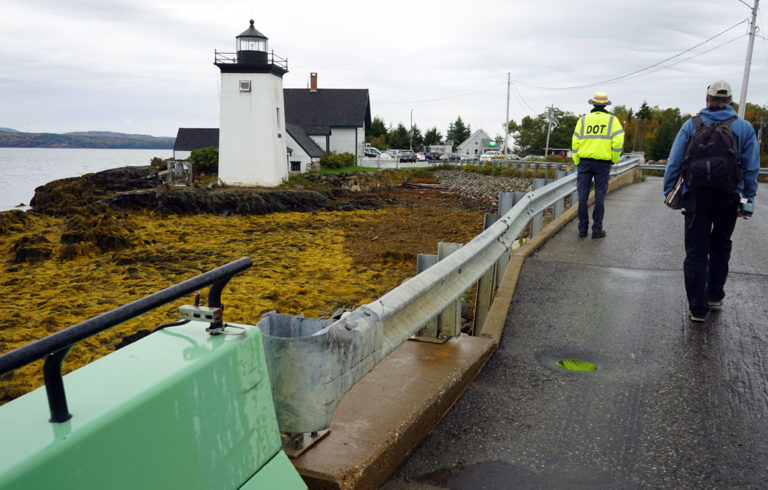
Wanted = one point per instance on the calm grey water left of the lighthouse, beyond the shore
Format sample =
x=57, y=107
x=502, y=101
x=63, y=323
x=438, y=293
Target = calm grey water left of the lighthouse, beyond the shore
x=24, y=169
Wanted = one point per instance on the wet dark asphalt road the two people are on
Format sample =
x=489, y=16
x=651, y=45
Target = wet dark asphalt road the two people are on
x=672, y=404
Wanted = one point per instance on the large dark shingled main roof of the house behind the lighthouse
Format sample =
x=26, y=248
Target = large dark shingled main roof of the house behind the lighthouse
x=318, y=111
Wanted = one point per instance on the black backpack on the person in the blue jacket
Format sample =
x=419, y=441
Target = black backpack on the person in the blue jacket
x=711, y=162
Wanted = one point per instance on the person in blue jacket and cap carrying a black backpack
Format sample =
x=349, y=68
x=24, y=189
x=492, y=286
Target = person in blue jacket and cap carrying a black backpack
x=713, y=160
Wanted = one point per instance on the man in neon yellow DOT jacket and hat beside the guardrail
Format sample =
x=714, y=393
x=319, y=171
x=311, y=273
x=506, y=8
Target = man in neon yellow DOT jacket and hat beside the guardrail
x=597, y=143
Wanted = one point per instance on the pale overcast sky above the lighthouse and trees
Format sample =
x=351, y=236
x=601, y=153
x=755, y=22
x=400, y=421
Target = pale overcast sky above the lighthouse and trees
x=146, y=66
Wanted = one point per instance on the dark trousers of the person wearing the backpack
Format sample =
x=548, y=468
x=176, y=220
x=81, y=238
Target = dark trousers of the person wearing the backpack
x=709, y=224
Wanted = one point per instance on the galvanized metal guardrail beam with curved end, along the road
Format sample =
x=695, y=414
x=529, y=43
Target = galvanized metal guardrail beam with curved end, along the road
x=313, y=364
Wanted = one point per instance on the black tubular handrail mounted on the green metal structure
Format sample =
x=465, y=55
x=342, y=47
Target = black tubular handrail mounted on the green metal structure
x=56, y=346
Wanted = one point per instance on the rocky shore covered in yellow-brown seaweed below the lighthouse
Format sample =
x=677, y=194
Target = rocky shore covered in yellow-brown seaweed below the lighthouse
x=94, y=243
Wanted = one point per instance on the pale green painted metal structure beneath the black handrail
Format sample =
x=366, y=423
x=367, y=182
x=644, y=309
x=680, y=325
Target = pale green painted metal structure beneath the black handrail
x=180, y=408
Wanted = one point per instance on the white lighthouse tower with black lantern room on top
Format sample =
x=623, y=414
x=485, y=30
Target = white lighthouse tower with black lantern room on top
x=252, y=148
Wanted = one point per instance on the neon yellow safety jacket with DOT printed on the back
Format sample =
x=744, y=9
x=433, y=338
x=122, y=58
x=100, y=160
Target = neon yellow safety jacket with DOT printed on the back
x=598, y=135
